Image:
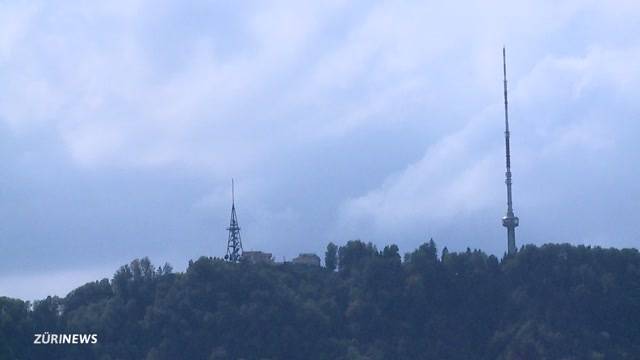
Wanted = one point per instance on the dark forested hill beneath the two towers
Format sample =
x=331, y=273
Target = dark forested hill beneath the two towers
x=549, y=302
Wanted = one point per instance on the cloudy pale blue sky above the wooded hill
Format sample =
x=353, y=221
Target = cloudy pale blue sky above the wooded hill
x=123, y=122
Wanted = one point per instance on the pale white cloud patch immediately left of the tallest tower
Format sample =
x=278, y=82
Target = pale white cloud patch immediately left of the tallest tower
x=454, y=177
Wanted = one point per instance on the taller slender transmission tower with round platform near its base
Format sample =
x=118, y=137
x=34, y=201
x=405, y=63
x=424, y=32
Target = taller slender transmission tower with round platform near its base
x=510, y=221
